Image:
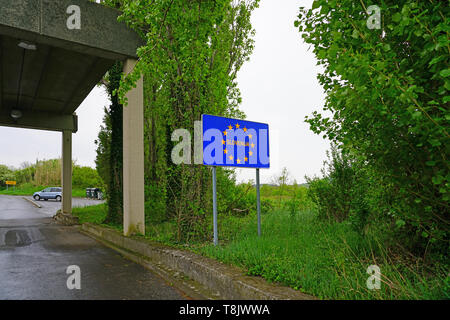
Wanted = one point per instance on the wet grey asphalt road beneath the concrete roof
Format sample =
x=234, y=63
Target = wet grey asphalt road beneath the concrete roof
x=35, y=254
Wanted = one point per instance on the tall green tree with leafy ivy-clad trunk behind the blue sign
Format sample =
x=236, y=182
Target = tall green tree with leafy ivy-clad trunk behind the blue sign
x=191, y=55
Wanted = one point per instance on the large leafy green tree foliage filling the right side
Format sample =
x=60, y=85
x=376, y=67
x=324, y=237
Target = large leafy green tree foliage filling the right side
x=387, y=91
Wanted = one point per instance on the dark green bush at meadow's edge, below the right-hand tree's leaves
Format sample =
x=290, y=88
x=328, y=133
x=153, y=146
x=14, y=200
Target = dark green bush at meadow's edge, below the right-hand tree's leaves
x=350, y=191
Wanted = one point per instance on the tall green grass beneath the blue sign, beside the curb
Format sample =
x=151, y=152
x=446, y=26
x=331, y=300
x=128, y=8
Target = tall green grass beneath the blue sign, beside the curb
x=326, y=260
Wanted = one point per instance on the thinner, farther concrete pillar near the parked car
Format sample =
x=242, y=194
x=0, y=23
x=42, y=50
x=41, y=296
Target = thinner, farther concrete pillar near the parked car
x=66, y=171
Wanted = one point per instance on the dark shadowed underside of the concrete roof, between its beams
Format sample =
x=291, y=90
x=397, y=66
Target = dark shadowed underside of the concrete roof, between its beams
x=48, y=79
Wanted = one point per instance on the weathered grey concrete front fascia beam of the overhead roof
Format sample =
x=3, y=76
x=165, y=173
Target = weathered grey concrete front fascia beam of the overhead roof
x=48, y=22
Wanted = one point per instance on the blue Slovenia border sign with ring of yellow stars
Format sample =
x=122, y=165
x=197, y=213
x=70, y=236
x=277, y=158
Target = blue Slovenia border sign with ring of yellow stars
x=235, y=143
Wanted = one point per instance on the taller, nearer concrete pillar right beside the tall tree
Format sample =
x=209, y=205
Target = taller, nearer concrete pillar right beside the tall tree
x=133, y=157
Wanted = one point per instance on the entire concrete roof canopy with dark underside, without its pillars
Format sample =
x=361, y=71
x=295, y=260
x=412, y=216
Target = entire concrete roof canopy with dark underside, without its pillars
x=47, y=83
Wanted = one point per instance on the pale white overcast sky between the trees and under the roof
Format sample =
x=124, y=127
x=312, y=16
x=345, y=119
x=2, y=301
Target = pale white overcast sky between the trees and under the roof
x=278, y=87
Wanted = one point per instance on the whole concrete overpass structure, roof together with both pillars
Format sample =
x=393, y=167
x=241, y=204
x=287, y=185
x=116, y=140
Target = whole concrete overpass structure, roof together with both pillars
x=52, y=54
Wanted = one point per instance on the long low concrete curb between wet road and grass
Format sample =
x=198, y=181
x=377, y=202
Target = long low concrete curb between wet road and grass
x=220, y=281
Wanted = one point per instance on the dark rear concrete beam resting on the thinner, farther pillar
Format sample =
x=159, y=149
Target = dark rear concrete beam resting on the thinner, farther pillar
x=41, y=120
